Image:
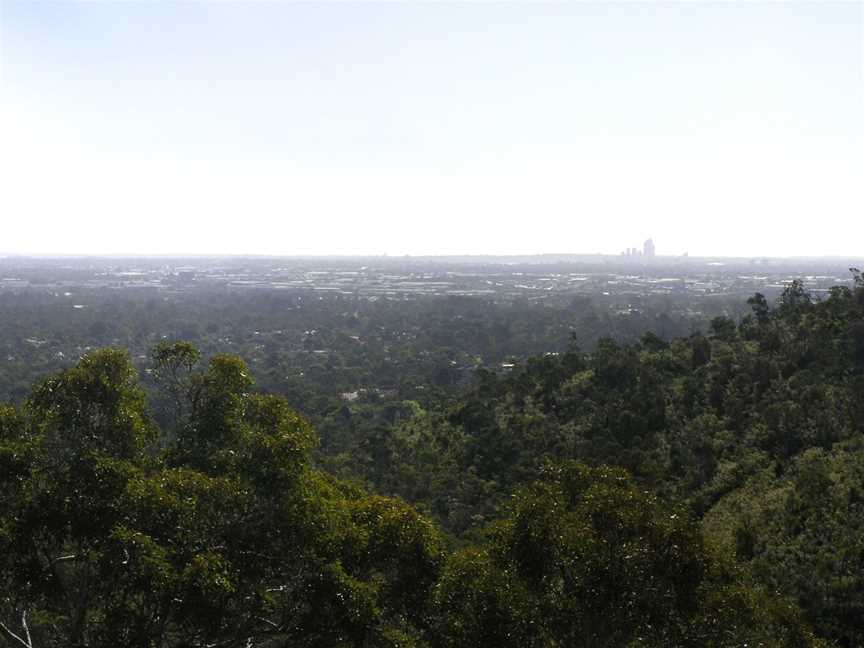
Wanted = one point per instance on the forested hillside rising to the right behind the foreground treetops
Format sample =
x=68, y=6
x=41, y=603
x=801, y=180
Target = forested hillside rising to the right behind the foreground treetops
x=720, y=425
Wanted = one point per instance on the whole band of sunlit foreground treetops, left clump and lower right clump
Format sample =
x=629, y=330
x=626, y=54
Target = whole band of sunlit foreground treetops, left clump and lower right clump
x=219, y=532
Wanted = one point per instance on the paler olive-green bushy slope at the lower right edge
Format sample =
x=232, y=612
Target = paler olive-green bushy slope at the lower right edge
x=801, y=533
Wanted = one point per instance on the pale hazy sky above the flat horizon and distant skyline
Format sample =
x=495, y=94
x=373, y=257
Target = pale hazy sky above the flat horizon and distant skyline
x=160, y=127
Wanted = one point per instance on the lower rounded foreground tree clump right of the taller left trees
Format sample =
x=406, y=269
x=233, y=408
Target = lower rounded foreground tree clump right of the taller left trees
x=585, y=558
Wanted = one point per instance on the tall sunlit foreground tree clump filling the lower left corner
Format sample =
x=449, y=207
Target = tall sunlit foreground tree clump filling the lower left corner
x=228, y=538
